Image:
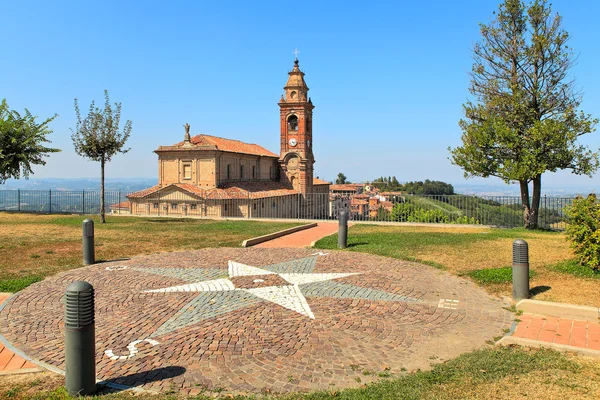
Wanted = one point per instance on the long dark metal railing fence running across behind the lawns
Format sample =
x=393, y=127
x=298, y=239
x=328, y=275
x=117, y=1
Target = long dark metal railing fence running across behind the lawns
x=505, y=211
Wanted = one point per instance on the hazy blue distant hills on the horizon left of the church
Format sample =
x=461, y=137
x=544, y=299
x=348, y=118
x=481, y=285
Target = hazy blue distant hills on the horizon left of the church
x=112, y=184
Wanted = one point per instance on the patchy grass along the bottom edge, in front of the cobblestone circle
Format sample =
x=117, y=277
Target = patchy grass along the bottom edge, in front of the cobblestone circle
x=491, y=373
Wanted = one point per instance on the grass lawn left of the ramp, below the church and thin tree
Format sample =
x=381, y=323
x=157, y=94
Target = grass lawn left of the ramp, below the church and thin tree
x=34, y=246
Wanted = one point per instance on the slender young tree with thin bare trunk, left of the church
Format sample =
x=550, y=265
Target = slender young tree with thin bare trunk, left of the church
x=98, y=138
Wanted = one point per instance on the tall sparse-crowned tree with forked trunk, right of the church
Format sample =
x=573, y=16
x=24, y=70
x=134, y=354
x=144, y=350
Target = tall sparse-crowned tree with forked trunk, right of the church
x=525, y=120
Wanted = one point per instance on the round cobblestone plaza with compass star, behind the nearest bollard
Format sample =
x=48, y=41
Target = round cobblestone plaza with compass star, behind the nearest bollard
x=260, y=320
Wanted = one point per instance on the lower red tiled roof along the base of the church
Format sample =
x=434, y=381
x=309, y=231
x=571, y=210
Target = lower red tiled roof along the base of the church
x=234, y=190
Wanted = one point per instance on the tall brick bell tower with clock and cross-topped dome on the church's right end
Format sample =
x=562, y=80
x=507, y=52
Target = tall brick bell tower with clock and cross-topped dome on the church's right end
x=296, y=157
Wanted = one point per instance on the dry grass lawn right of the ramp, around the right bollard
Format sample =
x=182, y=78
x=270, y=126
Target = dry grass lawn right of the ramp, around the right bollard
x=478, y=252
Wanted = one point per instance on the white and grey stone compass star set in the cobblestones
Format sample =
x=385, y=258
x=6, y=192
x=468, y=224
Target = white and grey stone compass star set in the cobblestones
x=286, y=284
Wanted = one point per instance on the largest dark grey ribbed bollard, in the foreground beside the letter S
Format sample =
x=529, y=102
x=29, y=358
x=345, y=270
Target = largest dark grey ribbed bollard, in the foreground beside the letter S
x=80, y=346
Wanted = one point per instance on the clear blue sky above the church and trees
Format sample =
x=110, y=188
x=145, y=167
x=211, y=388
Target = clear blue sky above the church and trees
x=388, y=79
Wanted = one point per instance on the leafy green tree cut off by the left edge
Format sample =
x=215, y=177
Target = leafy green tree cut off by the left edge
x=22, y=142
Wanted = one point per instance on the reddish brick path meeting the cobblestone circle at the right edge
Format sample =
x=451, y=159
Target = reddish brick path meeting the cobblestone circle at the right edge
x=563, y=331
